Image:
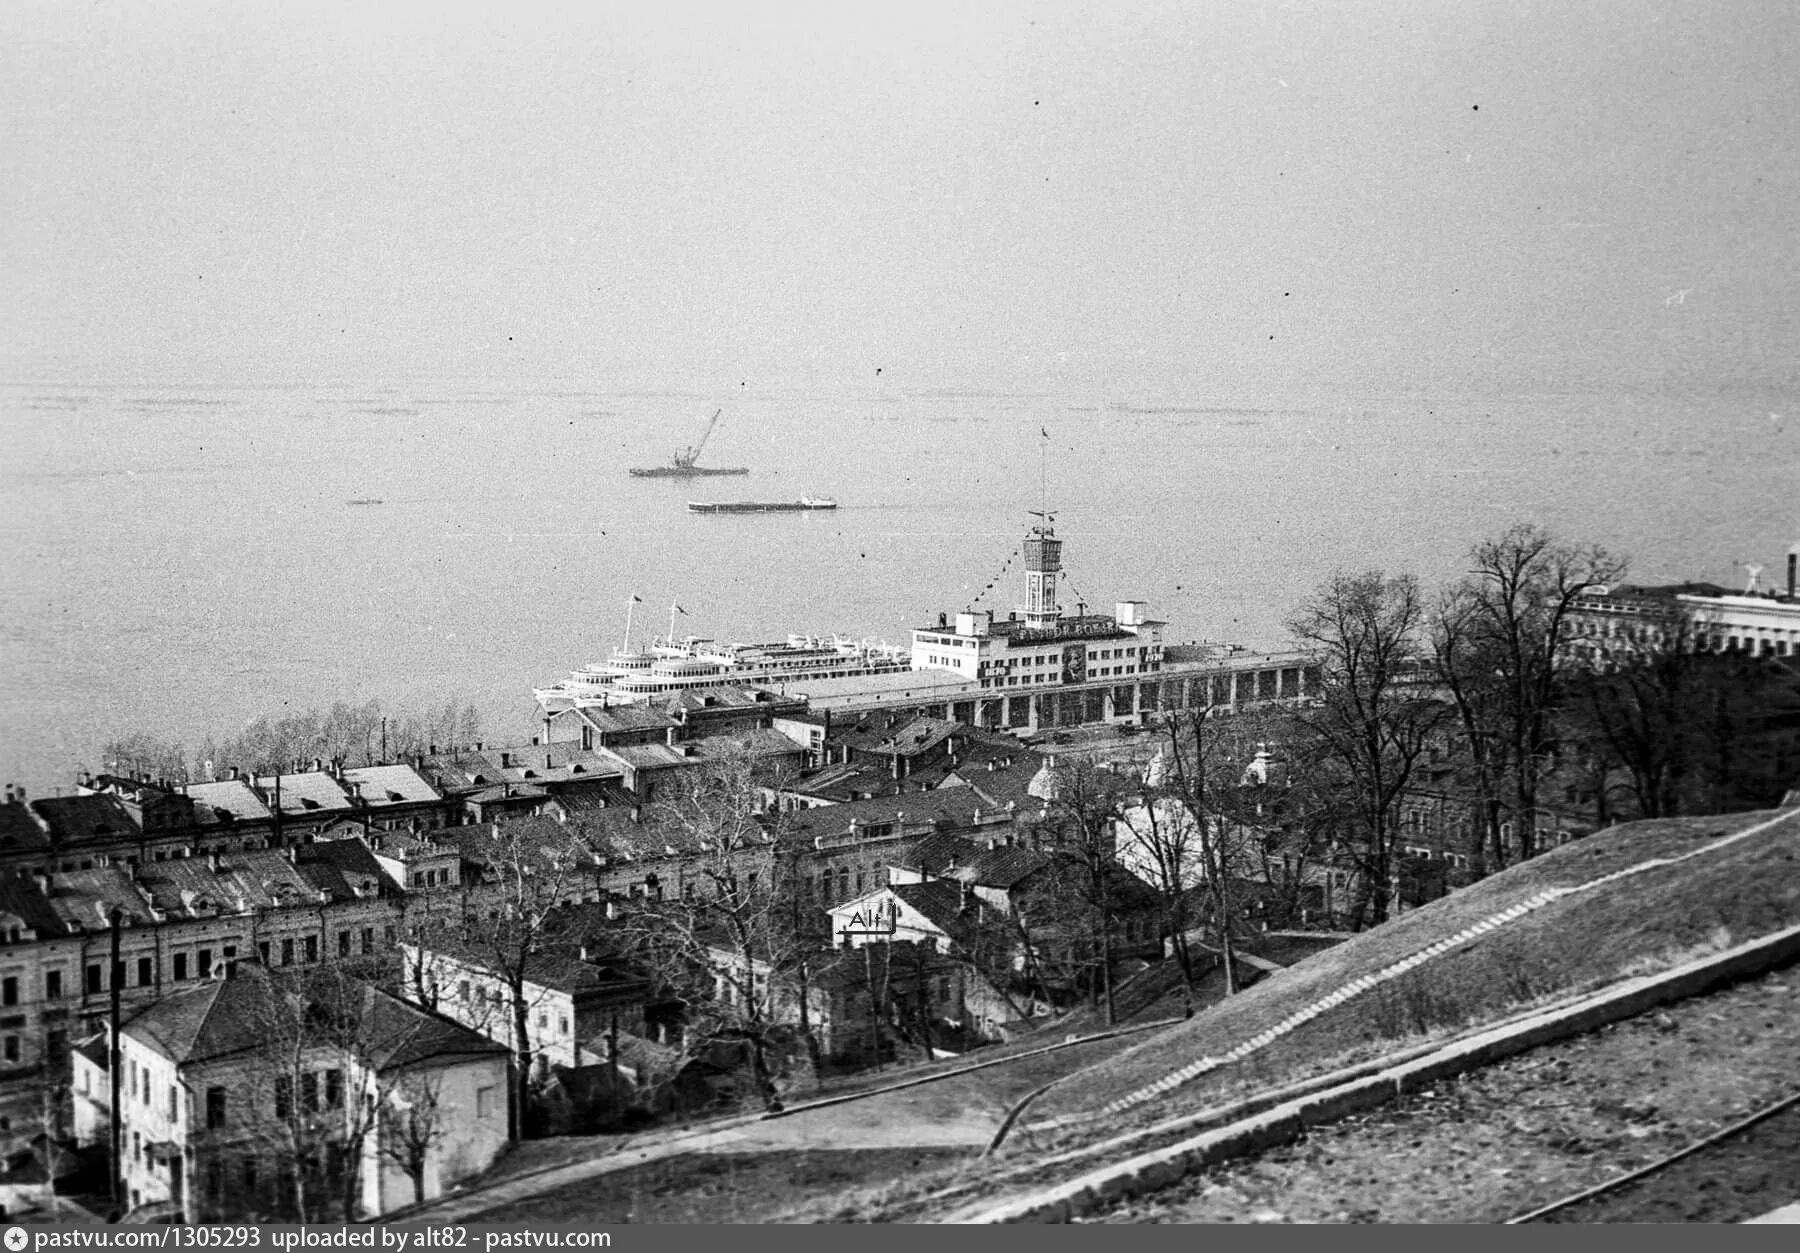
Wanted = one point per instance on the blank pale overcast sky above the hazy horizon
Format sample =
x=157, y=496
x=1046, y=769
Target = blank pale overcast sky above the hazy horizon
x=1178, y=195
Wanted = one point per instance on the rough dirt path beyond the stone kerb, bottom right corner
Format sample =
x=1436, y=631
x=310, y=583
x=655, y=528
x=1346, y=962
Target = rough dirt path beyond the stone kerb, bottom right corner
x=1531, y=1130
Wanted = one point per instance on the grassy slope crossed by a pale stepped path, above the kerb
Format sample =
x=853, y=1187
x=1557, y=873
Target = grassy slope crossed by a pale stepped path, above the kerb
x=1632, y=926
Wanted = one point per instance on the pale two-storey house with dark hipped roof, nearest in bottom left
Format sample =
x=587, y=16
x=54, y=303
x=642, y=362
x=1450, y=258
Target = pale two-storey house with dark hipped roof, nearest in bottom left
x=246, y=1092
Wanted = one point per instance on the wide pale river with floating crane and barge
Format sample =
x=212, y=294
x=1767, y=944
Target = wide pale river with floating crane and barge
x=183, y=559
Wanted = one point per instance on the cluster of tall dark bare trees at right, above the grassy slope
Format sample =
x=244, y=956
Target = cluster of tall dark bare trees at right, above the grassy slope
x=1488, y=687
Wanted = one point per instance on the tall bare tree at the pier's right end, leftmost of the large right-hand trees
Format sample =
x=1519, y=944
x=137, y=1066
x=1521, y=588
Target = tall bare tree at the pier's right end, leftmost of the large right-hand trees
x=1372, y=721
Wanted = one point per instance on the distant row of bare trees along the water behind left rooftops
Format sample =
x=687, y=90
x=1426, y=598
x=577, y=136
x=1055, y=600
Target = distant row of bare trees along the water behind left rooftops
x=345, y=735
